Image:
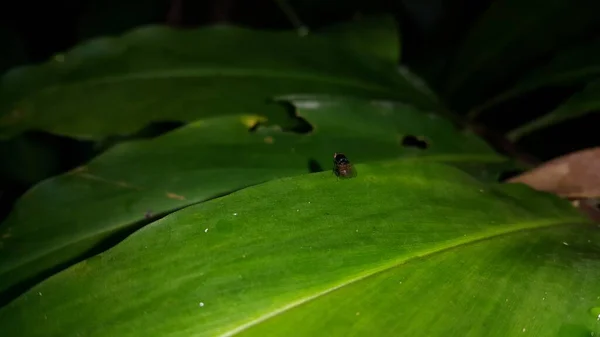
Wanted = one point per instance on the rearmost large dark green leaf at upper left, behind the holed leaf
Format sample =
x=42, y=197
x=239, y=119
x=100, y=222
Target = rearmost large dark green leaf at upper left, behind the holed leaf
x=117, y=85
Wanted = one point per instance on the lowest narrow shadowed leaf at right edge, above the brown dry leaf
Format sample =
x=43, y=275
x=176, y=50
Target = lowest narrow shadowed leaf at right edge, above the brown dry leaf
x=580, y=104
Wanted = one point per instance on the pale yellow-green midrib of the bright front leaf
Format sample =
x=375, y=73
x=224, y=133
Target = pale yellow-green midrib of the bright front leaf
x=452, y=244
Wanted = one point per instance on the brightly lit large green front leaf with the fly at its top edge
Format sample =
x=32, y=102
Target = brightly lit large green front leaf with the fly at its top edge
x=406, y=248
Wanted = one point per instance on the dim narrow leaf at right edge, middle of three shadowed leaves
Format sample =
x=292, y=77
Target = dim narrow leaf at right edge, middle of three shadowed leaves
x=567, y=67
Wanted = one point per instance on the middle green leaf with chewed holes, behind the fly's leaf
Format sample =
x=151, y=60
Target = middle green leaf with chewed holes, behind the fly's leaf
x=64, y=217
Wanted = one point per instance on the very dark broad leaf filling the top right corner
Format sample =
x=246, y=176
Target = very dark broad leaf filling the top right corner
x=509, y=37
